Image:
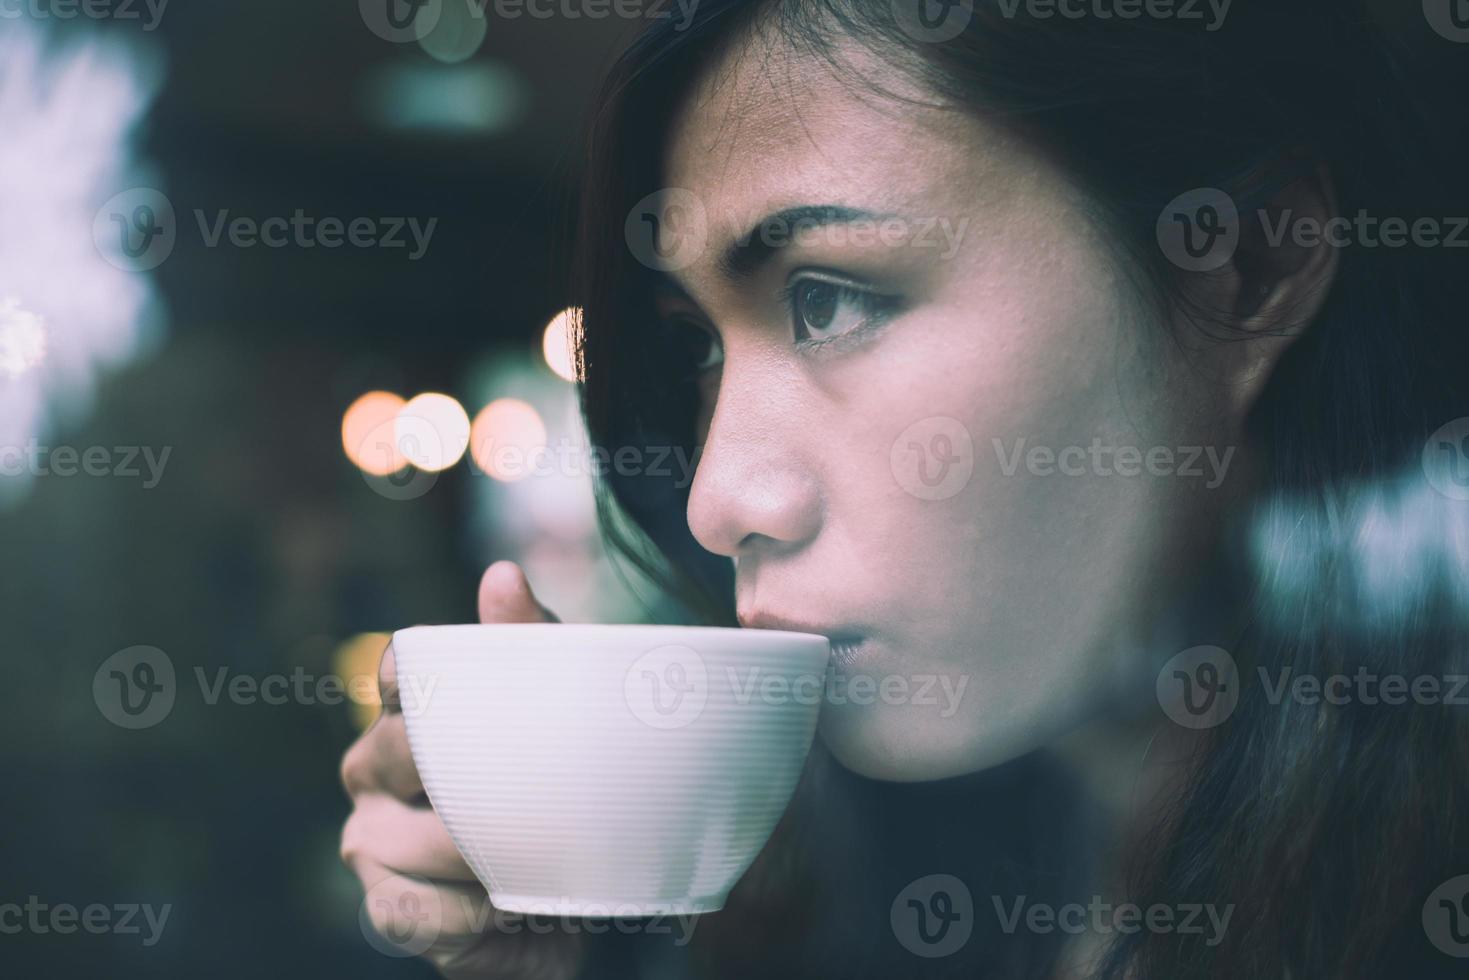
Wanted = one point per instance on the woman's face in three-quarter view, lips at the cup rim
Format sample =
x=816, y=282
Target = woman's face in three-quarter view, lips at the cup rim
x=938, y=419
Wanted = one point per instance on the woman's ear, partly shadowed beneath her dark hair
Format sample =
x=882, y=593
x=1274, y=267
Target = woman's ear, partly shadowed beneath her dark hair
x=1274, y=286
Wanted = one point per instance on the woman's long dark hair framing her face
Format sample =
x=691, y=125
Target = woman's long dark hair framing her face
x=1326, y=826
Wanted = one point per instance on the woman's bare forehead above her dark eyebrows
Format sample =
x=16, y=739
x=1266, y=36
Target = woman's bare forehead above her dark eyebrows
x=769, y=127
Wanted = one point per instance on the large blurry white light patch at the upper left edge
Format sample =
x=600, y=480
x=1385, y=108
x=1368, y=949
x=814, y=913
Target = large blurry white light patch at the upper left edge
x=68, y=112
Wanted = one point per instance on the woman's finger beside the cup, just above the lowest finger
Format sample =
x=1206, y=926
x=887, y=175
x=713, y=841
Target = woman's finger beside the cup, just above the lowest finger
x=403, y=840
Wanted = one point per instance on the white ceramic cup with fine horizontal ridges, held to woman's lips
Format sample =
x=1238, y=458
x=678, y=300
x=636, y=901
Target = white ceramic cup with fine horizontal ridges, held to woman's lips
x=610, y=771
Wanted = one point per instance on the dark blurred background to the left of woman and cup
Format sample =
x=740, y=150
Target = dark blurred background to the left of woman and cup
x=262, y=549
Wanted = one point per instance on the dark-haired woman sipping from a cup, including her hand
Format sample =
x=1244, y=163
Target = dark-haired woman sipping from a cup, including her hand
x=1066, y=365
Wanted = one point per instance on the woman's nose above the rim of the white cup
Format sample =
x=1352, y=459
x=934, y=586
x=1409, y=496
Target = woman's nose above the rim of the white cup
x=754, y=486
